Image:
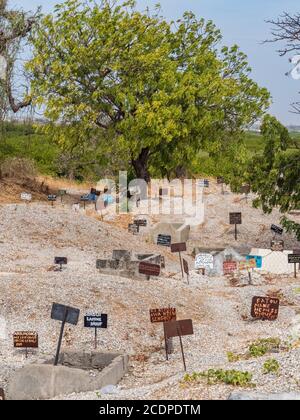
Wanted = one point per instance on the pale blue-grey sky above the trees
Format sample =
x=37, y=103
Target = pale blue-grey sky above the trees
x=242, y=23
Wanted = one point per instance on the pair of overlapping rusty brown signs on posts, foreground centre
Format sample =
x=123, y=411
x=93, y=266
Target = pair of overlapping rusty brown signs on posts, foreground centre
x=172, y=327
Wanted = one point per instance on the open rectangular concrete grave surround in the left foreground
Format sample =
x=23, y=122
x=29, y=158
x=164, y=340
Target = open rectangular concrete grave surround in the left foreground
x=45, y=381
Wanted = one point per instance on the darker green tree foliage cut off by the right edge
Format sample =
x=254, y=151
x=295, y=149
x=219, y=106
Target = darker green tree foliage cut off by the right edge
x=275, y=175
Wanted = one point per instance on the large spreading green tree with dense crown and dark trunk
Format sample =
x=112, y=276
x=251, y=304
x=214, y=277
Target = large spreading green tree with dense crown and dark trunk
x=162, y=91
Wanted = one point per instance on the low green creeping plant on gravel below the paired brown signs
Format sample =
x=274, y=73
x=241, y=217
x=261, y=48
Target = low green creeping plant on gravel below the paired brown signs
x=228, y=377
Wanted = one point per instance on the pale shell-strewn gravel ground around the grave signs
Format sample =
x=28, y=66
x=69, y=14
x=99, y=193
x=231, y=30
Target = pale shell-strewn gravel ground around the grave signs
x=30, y=237
